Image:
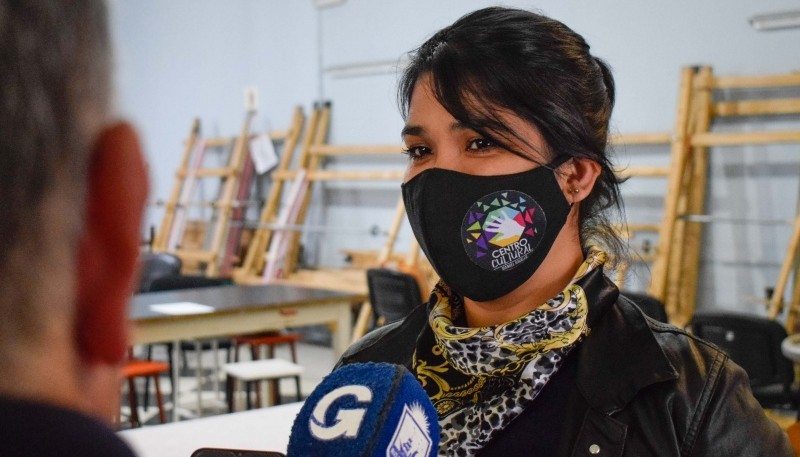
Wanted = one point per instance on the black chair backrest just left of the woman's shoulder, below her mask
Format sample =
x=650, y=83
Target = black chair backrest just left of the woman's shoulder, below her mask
x=393, y=294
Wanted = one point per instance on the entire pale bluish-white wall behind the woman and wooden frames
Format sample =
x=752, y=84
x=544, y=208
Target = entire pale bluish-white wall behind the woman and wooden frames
x=184, y=58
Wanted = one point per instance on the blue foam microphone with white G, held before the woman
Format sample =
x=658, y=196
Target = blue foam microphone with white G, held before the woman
x=366, y=410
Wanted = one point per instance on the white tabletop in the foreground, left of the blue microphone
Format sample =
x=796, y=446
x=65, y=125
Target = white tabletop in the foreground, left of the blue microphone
x=265, y=429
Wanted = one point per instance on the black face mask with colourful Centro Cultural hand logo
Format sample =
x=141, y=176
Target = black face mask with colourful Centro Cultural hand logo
x=486, y=235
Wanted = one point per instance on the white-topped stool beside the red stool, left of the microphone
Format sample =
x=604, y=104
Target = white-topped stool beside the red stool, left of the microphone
x=259, y=370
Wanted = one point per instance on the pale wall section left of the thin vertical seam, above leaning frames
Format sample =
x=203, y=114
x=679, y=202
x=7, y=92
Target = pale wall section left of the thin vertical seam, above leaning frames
x=181, y=59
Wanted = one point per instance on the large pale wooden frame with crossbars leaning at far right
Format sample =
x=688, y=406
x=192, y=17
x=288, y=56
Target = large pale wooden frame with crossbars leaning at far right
x=676, y=267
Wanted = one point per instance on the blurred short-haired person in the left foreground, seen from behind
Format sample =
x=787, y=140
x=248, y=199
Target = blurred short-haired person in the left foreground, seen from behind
x=72, y=189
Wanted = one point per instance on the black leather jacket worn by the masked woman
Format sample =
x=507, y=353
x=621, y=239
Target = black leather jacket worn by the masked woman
x=650, y=389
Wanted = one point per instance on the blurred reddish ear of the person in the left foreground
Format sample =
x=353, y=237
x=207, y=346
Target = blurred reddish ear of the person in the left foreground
x=109, y=246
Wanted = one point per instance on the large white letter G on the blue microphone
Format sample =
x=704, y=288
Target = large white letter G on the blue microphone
x=347, y=421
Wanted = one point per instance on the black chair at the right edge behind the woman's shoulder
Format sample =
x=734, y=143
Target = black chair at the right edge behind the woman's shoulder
x=754, y=343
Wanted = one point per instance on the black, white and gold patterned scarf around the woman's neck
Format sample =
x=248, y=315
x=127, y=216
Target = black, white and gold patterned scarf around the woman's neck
x=480, y=379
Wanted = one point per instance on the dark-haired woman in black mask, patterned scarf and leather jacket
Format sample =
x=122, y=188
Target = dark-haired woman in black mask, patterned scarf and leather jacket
x=525, y=347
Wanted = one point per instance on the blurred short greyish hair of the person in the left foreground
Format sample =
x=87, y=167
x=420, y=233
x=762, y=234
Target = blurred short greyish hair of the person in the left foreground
x=54, y=62
